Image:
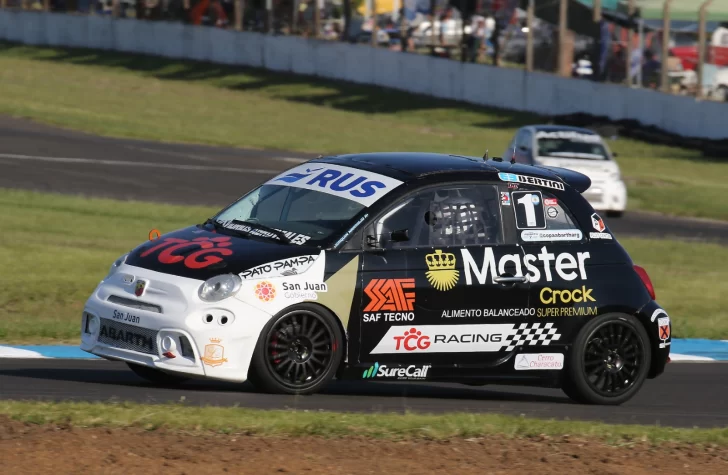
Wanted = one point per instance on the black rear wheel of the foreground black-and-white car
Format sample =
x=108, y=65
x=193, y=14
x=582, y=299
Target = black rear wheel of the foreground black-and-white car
x=609, y=361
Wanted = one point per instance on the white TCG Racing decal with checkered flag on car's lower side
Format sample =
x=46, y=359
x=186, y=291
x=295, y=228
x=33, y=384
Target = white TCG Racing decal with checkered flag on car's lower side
x=465, y=338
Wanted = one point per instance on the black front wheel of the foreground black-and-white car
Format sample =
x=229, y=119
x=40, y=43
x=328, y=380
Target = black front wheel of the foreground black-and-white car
x=298, y=352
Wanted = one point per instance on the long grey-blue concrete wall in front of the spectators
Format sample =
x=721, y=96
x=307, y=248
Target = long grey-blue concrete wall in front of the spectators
x=484, y=85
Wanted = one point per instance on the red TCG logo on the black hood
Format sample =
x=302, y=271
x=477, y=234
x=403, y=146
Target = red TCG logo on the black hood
x=210, y=252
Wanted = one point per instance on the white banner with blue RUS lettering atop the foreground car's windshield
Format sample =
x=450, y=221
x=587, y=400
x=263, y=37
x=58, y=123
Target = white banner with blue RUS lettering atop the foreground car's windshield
x=361, y=186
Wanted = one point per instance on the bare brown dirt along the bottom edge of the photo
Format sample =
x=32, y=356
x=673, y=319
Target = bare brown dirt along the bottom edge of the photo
x=26, y=448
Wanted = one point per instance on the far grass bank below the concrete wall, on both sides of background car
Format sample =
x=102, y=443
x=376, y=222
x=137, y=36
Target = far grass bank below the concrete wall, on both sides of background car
x=152, y=98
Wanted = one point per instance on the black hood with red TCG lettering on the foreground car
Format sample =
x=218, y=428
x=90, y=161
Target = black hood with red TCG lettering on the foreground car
x=197, y=253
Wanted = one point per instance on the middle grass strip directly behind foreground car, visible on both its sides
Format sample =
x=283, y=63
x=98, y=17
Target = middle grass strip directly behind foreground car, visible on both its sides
x=55, y=249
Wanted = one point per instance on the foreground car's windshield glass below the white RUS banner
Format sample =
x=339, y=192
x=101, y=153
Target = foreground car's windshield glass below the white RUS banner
x=298, y=210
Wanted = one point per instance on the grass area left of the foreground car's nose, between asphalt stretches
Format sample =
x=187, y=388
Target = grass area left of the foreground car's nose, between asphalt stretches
x=55, y=249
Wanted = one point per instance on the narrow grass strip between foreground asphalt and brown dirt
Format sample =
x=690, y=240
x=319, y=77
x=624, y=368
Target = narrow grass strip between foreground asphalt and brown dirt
x=328, y=424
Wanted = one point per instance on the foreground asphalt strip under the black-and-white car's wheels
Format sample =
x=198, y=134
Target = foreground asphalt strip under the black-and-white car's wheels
x=686, y=395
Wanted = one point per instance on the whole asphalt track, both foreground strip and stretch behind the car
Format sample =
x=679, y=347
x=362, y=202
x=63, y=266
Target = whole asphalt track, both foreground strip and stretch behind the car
x=47, y=159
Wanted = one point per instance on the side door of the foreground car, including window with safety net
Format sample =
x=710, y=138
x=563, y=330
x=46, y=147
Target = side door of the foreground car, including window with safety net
x=444, y=283
